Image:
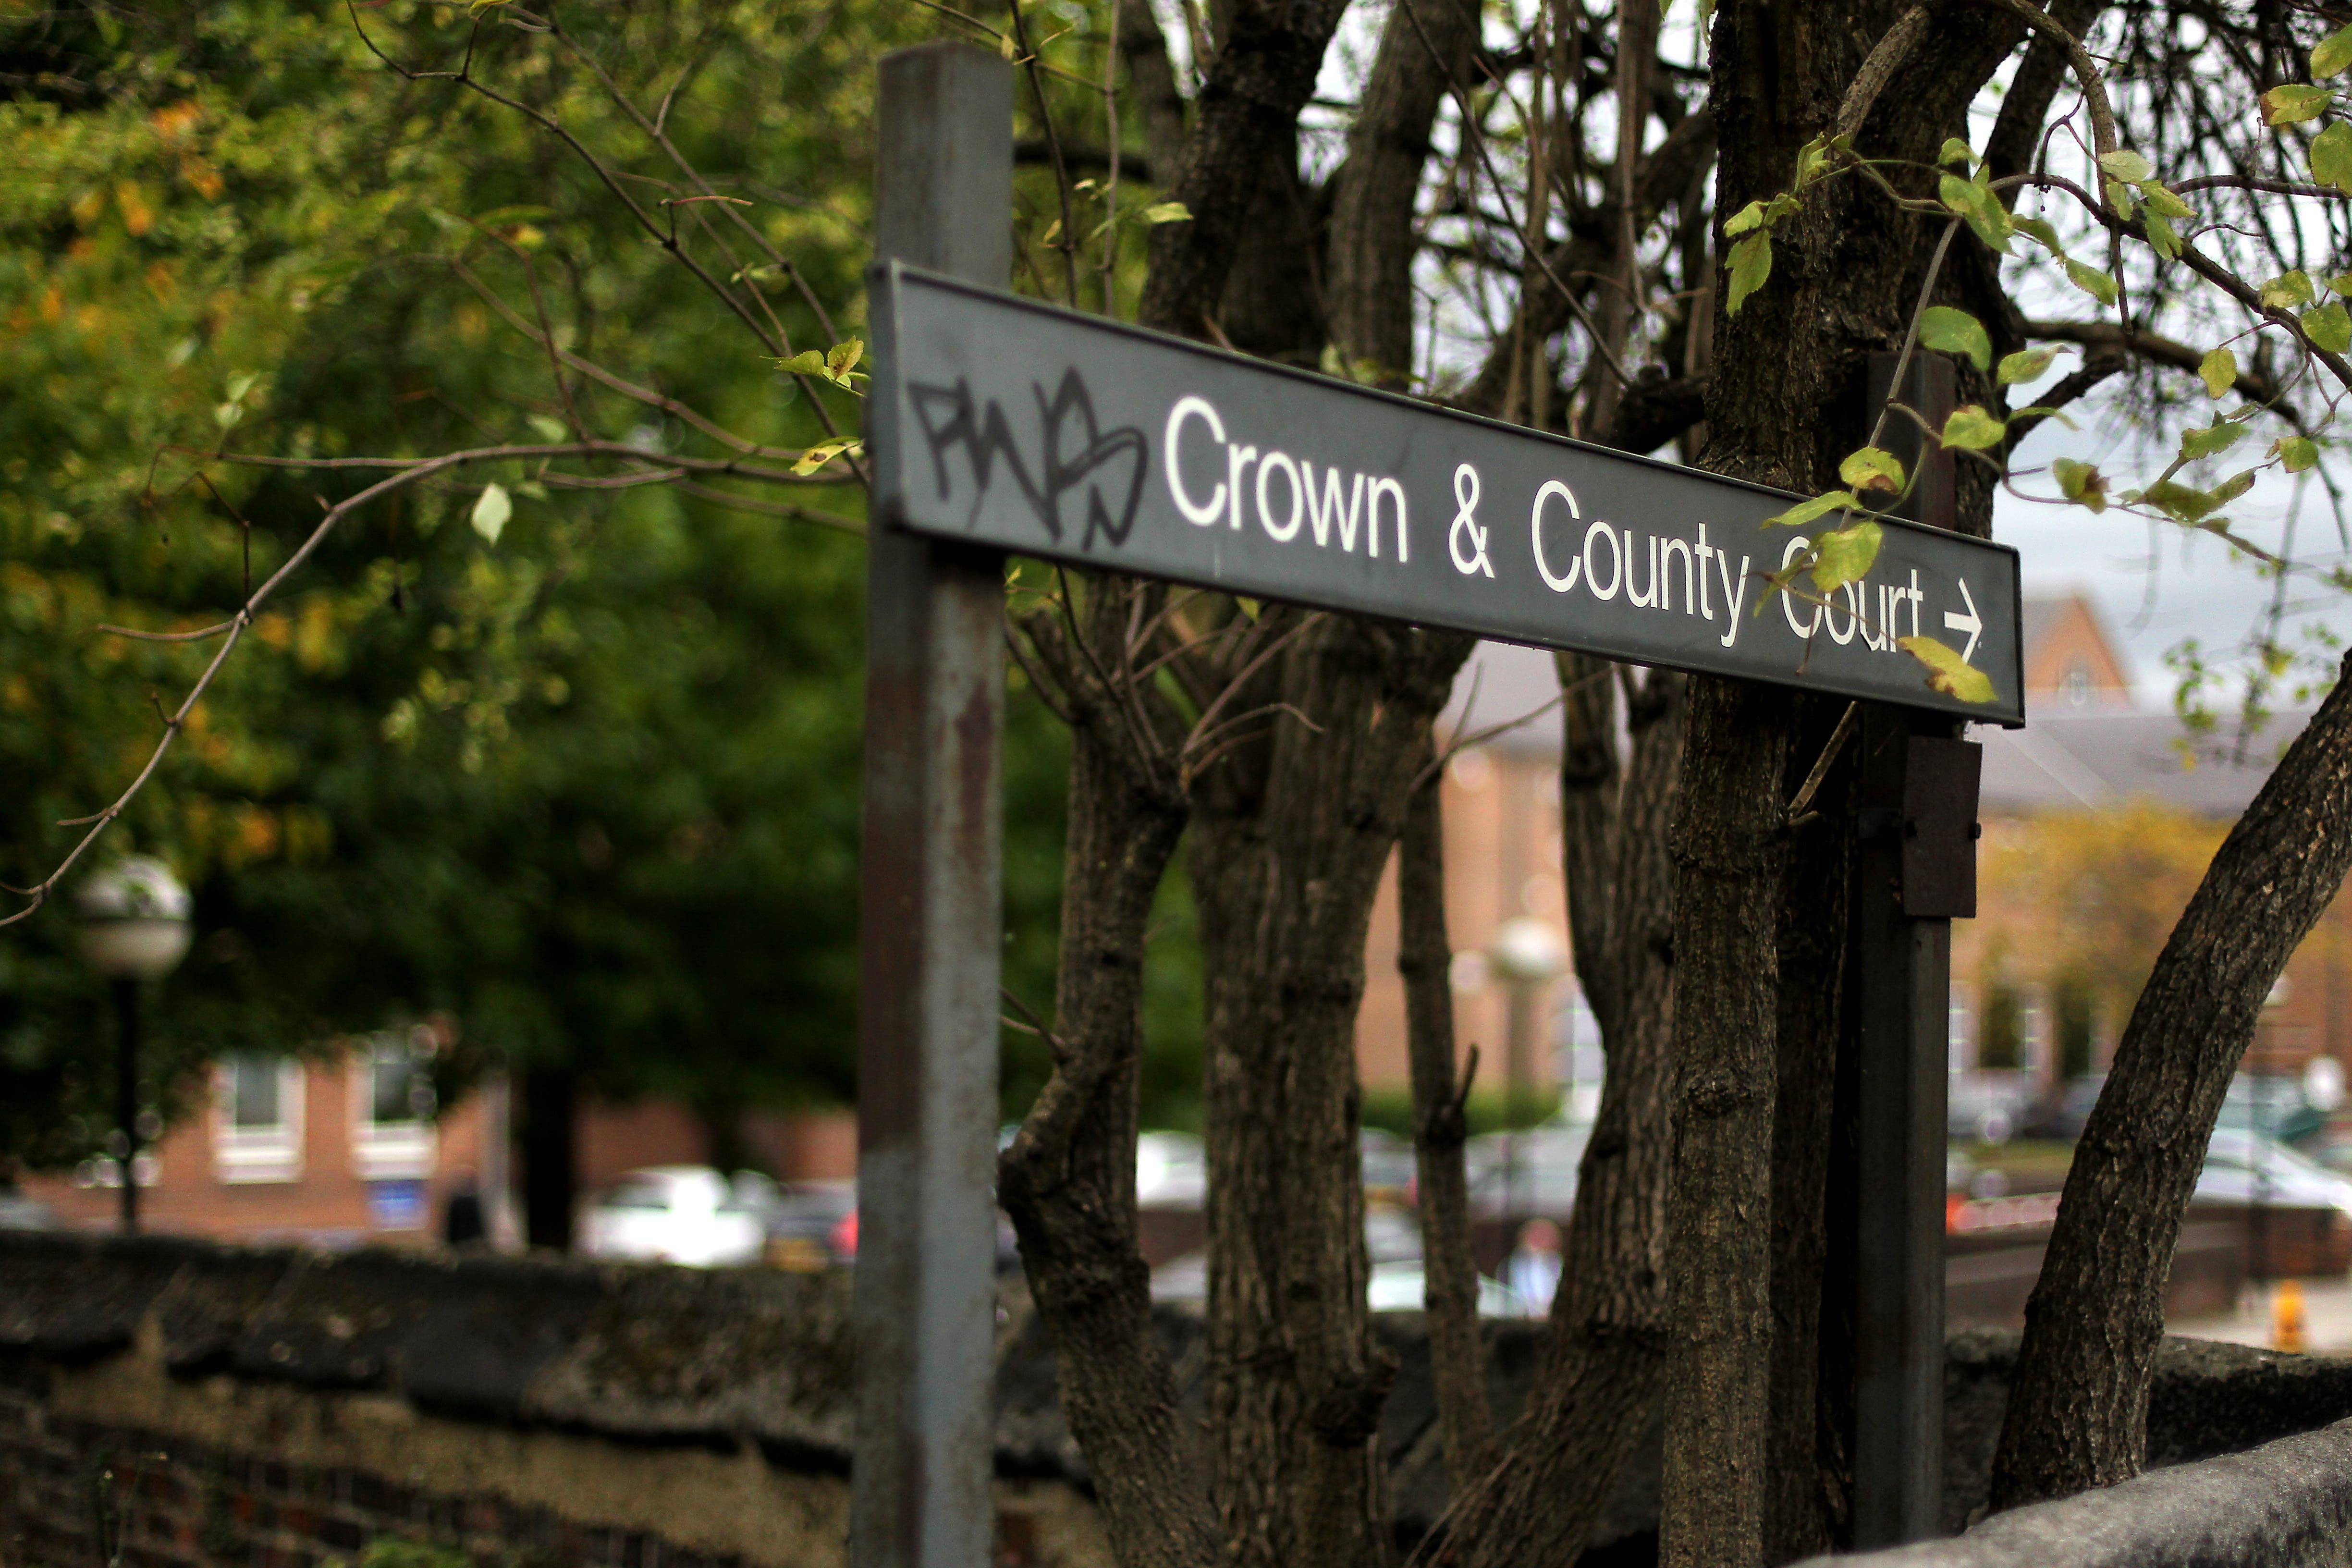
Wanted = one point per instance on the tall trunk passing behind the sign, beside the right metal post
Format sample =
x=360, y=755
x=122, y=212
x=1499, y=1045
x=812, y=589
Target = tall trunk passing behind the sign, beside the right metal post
x=1786, y=403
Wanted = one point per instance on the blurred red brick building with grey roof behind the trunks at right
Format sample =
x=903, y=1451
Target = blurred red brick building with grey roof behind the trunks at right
x=2090, y=751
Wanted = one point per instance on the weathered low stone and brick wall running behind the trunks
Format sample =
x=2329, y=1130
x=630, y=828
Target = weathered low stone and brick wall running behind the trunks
x=173, y=1405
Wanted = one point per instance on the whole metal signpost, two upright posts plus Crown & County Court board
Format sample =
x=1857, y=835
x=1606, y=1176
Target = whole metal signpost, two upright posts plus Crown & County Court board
x=1001, y=427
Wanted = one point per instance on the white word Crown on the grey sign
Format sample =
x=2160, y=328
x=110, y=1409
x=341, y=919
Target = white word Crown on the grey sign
x=1290, y=495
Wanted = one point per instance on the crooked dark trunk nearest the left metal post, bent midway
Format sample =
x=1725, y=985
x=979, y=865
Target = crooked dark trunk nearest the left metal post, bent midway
x=1069, y=1179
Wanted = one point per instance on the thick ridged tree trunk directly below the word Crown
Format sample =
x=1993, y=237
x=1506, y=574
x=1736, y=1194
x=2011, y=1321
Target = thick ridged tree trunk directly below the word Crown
x=1288, y=852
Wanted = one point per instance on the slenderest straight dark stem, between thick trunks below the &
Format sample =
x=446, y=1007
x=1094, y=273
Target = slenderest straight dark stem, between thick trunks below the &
x=1443, y=1198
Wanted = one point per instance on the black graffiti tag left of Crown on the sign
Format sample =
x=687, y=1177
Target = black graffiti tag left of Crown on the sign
x=1074, y=453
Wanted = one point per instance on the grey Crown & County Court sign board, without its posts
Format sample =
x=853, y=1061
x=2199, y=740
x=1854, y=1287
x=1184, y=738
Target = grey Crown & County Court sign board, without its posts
x=1085, y=441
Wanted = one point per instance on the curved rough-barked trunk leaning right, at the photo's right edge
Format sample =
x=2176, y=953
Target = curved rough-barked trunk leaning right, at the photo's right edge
x=2078, y=1407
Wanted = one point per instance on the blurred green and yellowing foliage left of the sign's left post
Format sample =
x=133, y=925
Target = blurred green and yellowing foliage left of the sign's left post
x=584, y=782
